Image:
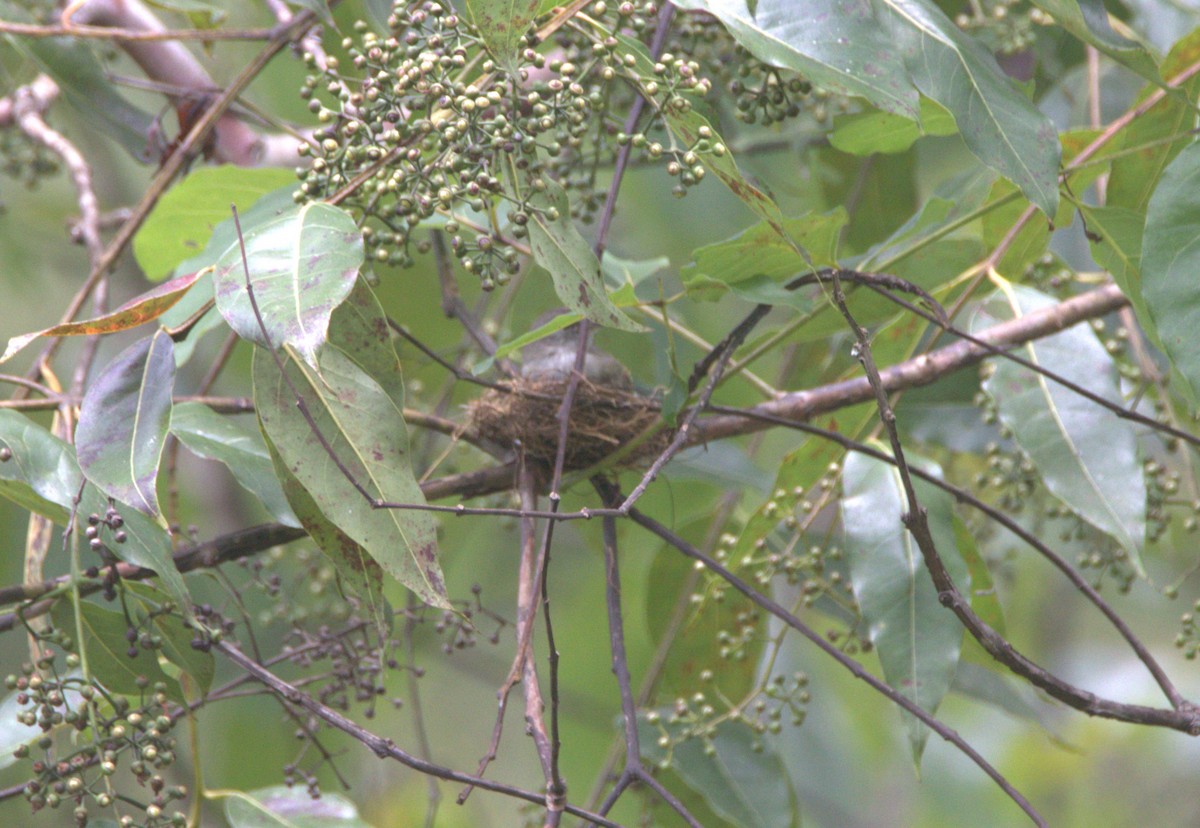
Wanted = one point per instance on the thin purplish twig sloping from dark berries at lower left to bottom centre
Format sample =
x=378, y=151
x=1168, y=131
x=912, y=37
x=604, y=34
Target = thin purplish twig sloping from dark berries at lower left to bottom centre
x=380, y=746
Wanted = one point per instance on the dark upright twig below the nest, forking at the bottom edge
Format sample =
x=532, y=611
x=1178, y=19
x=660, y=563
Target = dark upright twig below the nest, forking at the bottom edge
x=635, y=770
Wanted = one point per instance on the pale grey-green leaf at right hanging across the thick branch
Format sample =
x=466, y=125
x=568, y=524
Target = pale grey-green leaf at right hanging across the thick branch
x=1087, y=457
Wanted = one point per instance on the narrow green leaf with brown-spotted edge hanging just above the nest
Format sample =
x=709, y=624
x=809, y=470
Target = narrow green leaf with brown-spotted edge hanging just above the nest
x=559, y=248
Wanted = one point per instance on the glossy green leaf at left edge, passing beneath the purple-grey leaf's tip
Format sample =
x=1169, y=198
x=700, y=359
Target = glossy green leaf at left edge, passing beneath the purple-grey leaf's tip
x=44, y=477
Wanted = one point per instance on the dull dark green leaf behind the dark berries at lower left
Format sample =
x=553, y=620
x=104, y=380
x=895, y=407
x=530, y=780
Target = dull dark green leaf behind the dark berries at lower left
x=104, y=639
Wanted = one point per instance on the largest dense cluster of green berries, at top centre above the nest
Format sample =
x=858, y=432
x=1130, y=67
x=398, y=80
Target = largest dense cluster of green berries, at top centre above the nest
x=434, y=134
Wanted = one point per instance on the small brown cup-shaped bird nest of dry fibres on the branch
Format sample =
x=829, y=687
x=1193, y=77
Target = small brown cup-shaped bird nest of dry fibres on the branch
x=603, y=422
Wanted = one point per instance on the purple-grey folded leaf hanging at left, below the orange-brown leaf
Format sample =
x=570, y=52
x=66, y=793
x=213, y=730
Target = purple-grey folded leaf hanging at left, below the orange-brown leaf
x=124, y=419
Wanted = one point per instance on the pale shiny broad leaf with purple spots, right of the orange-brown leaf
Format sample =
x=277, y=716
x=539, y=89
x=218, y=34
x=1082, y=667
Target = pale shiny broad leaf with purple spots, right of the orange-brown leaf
x=303, y=265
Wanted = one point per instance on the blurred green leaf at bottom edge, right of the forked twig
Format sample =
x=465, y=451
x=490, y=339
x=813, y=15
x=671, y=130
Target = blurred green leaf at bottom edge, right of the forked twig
x=740, y=776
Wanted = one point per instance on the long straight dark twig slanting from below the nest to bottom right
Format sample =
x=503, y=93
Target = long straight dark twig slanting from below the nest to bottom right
x=855, y=668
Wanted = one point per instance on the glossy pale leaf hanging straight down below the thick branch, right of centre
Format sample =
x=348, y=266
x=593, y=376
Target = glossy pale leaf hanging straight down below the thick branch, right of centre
x=919, y=640
